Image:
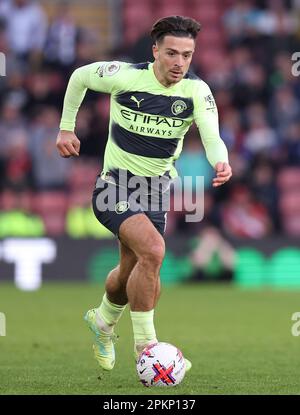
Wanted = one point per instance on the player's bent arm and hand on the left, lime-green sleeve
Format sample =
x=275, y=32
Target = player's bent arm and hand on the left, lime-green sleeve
x=98, y=76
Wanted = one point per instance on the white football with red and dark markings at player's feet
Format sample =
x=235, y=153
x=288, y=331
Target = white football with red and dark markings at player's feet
x=161, y=364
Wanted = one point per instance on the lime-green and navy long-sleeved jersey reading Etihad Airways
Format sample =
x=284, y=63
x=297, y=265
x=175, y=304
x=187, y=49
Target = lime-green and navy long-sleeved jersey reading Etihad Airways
x=148, y=121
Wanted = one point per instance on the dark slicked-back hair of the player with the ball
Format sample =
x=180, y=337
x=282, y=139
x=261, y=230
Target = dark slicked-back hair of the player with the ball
x=179, y=26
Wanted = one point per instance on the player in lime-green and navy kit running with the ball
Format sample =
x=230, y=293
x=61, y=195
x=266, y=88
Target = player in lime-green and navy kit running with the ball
x=152, y=108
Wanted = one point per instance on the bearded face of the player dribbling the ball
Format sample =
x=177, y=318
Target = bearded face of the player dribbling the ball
x=173, y=57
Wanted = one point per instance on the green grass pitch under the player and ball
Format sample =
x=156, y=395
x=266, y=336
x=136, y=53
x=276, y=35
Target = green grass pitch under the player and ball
x=239, y=342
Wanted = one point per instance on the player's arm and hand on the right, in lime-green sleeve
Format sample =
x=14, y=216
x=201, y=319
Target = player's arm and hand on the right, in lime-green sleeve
x=207, y=121
